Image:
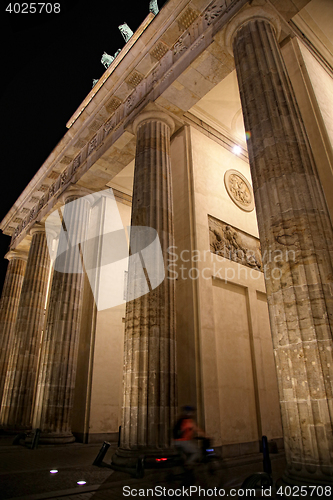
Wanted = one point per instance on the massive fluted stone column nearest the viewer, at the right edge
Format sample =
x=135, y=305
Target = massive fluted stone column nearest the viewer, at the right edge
x=297, y=245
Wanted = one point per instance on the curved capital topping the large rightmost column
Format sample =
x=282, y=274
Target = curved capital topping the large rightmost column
x=265, y=13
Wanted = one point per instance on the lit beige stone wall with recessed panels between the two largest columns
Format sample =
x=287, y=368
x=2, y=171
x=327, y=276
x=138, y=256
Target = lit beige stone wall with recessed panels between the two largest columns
x=236, y=386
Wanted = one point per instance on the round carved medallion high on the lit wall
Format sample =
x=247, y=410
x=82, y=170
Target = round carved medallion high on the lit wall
x=239, y=190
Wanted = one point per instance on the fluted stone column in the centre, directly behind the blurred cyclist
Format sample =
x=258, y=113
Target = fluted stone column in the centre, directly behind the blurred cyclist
x=149, y=402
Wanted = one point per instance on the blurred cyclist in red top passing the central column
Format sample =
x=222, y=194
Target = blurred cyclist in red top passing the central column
x=185, y=433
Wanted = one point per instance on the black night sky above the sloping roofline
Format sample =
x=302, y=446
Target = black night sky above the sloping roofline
x=48, y=63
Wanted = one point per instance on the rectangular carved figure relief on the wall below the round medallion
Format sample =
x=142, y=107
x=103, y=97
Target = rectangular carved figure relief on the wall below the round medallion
x=234, y=244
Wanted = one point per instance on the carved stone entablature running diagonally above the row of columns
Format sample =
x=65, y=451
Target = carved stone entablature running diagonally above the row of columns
x=160, y=52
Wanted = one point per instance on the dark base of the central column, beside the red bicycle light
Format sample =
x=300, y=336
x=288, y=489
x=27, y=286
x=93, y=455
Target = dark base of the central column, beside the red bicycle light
x=132, y=461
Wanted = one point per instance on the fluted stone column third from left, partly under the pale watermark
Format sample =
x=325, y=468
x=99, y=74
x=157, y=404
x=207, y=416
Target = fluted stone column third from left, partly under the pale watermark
x=56, y=383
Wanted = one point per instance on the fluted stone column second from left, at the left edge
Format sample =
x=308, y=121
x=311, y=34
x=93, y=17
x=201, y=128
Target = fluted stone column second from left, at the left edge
x=21, y=375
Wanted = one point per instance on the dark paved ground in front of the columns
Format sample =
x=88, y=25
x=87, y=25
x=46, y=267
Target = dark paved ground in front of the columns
x=25, y=474
